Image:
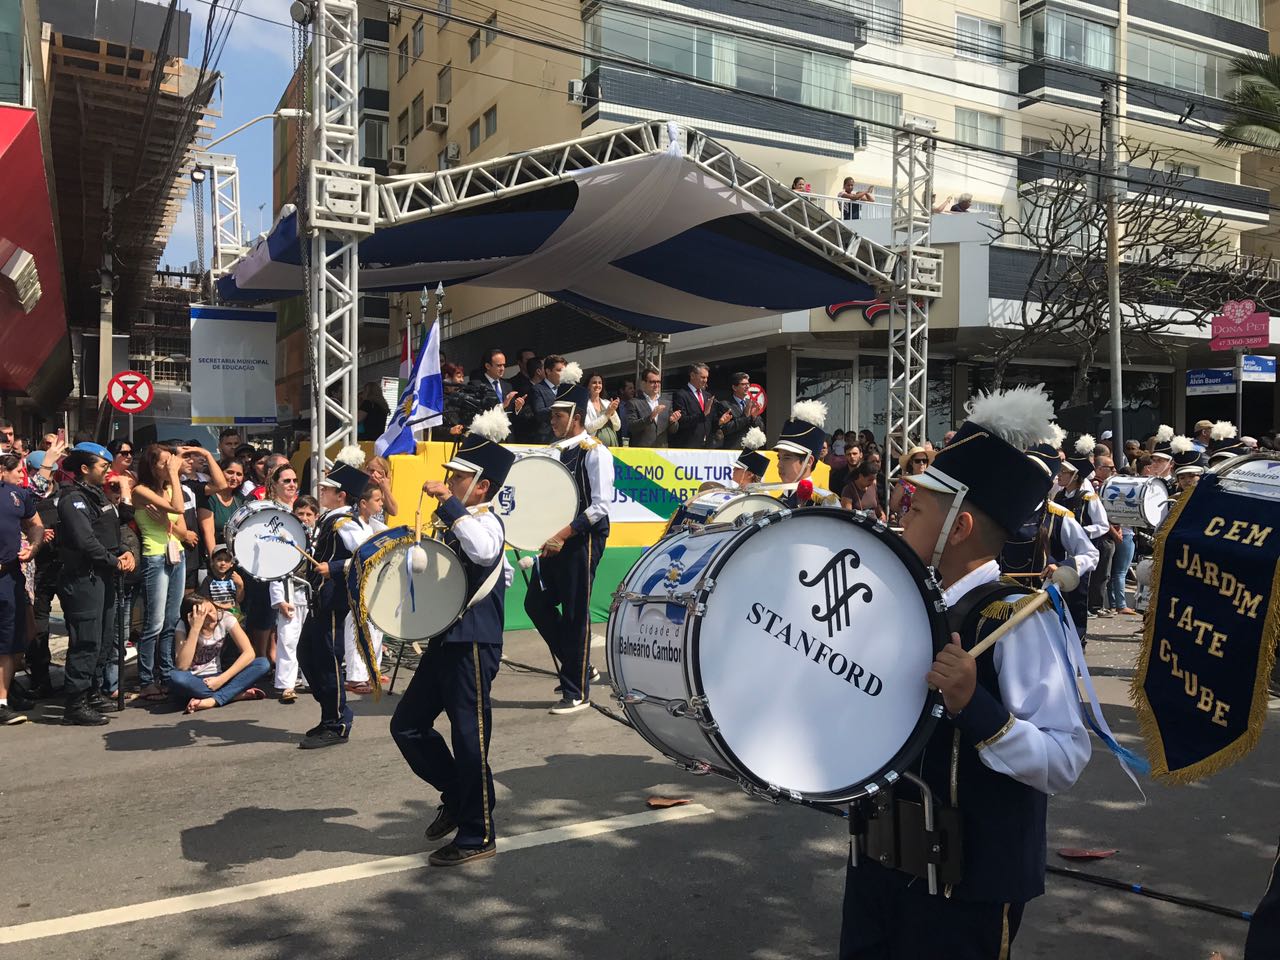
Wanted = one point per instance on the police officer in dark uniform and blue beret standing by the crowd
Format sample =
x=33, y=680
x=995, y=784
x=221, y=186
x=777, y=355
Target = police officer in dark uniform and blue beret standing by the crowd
x=92, y=556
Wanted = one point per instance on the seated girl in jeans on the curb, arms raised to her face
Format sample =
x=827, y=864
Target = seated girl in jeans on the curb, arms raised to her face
x=198, y=682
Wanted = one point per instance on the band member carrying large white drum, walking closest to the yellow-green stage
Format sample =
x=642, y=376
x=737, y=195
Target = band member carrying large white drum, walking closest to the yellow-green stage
x=568, y=563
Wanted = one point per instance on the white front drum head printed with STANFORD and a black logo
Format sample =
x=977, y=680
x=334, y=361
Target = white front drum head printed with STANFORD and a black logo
x=813, y=652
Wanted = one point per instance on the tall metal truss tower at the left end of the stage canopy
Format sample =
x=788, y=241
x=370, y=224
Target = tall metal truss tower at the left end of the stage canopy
x=341, y=208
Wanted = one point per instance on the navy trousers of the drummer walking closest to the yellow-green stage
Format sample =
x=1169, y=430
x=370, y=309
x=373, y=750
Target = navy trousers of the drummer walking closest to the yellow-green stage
x=559, y=602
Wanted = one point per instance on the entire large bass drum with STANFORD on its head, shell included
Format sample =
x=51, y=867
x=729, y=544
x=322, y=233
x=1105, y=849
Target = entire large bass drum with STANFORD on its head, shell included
x=788, y=653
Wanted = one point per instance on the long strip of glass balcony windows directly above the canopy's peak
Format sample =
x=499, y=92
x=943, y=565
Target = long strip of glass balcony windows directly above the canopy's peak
x=756, y=66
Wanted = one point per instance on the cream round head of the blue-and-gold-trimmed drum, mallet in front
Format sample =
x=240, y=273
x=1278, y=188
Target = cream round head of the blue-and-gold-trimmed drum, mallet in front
x=412, y=606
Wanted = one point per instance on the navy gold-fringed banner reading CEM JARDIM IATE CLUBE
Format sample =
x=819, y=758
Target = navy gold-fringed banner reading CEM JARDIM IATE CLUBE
x=1209, y=647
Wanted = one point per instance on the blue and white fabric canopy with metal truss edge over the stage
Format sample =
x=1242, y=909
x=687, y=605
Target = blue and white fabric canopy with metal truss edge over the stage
x=653, y=226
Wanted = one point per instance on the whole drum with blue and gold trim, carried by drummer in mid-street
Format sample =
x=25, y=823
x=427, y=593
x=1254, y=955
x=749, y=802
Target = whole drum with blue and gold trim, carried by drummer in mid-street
x=404, y=605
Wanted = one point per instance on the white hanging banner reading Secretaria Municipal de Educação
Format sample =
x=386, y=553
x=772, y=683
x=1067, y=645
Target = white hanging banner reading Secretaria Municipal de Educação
x=232, y=365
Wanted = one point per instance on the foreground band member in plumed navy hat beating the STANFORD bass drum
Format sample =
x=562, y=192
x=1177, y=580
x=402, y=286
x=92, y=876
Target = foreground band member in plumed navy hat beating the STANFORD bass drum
x=1013, y=733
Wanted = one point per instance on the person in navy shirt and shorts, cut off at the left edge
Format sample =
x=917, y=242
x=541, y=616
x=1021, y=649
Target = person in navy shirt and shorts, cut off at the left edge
x=17, y=518
